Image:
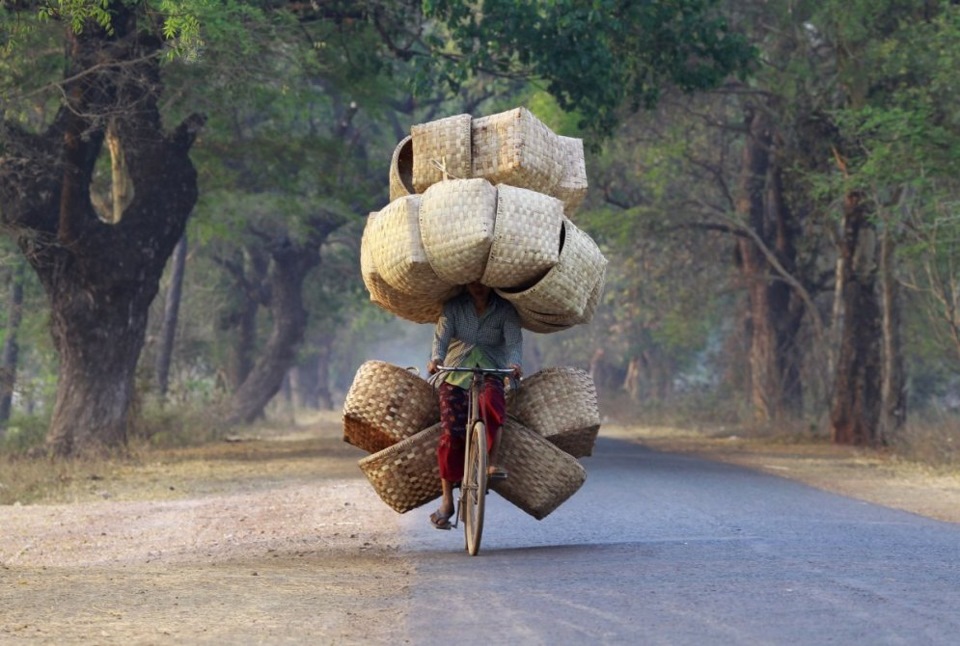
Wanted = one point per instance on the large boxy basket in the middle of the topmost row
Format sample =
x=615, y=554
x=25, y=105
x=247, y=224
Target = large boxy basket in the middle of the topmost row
x=516, y=148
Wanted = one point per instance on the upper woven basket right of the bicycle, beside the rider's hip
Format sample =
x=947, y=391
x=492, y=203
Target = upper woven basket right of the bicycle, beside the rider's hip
x=561, y=405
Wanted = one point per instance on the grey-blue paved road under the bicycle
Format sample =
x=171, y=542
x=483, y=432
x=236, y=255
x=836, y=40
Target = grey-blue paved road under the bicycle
x=667, y=549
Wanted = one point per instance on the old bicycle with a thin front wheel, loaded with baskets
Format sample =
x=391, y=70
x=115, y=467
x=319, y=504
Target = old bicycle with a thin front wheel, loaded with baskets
x=473, y=487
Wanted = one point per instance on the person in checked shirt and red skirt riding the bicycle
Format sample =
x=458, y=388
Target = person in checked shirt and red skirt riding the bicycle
x=477, y=328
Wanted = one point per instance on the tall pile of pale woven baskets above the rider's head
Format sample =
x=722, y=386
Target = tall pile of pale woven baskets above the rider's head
x=490, y=200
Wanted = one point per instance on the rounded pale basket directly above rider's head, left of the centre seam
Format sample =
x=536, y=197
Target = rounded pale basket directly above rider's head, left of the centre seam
x=457, y=222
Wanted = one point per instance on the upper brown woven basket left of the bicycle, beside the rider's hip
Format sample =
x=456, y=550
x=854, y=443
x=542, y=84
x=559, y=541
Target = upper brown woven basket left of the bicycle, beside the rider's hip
x=386, y=404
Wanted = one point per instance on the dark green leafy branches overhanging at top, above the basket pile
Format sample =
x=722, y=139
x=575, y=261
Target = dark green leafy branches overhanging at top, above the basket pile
x=625, y=52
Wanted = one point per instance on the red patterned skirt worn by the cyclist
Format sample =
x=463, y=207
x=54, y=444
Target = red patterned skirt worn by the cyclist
x=454, y=411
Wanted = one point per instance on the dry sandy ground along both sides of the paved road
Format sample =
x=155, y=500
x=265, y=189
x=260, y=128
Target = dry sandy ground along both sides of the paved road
x=281, y=540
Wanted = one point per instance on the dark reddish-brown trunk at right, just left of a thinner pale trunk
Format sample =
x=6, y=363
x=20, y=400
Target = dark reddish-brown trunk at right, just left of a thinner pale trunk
x=857, y=399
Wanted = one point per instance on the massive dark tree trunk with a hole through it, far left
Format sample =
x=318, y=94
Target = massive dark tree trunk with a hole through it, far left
x=100, y=277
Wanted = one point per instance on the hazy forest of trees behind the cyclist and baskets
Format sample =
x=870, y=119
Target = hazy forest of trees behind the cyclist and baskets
x=183, y=186
